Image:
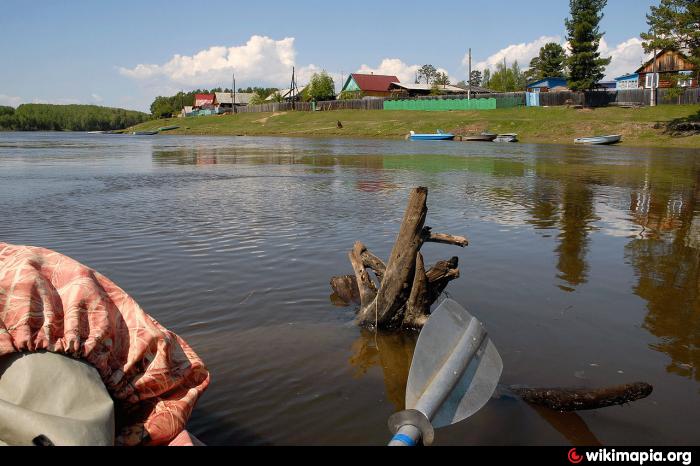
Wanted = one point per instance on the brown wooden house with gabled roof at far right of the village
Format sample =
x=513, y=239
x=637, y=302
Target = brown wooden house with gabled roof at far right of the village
x=666, y=64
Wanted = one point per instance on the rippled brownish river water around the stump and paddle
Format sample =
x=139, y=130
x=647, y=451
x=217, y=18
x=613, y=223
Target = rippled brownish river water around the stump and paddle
x=584, y=264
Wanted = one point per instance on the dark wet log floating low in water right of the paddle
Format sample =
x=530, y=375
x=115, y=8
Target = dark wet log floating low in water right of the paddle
x=583, y=399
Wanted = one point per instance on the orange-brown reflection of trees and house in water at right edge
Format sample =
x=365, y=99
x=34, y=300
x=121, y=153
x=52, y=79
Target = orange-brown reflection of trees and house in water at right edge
x=668, y=267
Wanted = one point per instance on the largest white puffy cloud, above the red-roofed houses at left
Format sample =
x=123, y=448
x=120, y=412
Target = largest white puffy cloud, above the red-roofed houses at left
x=260, y=60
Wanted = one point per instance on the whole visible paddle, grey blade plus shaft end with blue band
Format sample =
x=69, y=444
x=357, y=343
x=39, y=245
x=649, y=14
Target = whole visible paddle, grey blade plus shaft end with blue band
x=454, y=372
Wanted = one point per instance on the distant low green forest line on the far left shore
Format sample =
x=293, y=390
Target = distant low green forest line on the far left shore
x=46, y=117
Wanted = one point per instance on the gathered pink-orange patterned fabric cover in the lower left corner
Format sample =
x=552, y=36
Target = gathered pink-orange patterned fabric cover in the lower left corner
x=49, y=301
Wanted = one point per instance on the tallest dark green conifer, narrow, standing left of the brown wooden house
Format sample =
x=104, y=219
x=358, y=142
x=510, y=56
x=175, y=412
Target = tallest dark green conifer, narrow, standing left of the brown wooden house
x=586, y=67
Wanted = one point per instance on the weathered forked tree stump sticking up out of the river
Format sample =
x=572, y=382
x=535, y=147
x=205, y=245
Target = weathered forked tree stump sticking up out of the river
x=405, y=290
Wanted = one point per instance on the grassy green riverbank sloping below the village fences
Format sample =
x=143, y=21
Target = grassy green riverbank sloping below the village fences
x=647, y=127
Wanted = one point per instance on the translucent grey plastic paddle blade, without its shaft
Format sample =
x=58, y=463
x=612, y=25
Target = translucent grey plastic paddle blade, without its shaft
x=441, y=341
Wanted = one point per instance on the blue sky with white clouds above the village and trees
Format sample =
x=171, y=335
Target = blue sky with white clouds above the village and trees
x=124, y=53
